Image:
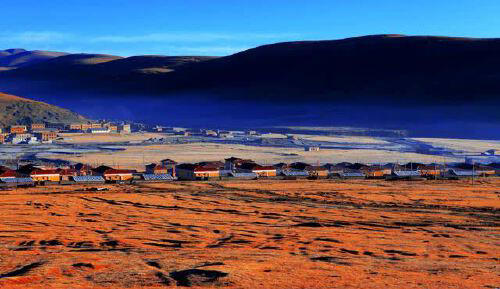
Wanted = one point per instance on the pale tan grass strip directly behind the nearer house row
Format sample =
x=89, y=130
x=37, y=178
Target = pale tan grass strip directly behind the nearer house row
x=135, y=157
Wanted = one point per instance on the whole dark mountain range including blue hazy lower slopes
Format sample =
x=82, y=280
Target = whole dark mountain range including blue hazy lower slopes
x=389, y=81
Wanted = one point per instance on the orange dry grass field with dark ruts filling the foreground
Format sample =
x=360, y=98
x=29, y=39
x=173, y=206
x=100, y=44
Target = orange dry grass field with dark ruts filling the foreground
x=253, y=234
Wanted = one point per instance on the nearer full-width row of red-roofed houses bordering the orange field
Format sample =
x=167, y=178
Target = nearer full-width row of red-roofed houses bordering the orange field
x=235, y=168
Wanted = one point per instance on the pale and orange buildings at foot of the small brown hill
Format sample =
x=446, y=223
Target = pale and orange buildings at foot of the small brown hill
x=37, y=133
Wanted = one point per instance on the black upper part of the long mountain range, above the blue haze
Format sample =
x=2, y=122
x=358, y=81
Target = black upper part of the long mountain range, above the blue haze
x=379, y=68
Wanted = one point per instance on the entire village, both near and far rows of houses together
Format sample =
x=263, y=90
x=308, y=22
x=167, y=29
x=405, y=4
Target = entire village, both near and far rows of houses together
x=33, y=172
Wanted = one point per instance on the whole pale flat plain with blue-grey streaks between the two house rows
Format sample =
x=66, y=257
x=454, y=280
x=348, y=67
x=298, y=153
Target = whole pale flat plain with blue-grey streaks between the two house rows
x=127, y=151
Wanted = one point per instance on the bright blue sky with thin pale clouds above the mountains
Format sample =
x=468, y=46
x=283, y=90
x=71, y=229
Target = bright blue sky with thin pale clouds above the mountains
x=223, y=27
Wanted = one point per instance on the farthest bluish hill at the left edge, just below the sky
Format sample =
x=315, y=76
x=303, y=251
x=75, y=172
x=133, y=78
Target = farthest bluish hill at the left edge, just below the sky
x=13, y=58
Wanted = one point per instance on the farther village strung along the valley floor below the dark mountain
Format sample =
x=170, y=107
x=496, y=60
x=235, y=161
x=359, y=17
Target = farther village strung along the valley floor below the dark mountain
x=47, y=133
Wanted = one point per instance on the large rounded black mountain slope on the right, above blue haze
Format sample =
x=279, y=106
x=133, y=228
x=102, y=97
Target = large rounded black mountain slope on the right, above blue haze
x=372, y=68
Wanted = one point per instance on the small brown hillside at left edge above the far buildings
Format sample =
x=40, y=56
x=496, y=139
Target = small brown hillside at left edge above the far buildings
x=18, y=110
